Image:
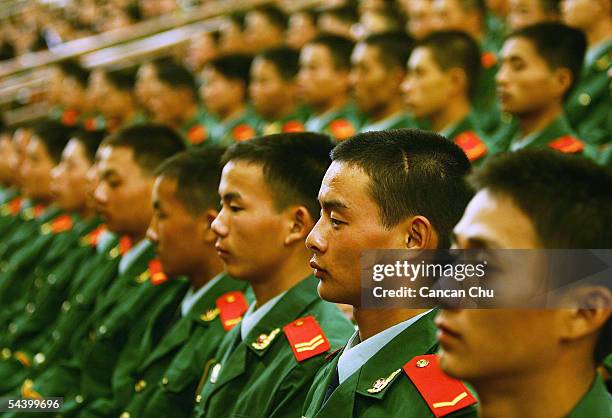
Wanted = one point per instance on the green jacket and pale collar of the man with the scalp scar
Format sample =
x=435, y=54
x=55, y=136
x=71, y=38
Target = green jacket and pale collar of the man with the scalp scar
x=382, y=386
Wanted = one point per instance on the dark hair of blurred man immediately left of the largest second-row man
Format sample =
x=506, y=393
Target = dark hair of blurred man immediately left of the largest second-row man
x=455, y=49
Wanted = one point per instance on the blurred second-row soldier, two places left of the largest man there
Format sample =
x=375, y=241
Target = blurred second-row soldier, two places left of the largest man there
x=378, y=69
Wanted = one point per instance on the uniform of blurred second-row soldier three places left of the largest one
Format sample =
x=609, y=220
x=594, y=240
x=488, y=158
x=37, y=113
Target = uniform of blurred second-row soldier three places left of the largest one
x=340, y=123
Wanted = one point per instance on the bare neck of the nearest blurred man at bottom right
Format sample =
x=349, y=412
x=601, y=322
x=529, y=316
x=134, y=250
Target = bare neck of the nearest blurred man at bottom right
x=544, y=394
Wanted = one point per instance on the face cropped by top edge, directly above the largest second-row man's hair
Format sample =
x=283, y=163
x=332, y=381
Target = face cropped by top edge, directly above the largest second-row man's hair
x=523, y=13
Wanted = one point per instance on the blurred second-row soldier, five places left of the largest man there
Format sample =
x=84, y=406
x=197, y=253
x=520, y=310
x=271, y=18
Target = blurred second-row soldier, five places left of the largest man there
x=228, y=118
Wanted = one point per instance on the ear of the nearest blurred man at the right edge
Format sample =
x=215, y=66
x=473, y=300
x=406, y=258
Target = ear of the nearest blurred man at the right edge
x=593, y=308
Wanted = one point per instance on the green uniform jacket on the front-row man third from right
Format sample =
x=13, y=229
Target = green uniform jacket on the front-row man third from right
x=267, y=373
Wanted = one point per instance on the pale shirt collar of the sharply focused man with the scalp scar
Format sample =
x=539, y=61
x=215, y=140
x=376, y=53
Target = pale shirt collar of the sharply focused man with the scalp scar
x=357, y=353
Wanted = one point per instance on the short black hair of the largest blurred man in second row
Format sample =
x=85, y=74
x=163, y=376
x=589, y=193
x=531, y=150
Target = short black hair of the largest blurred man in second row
x=559, y=45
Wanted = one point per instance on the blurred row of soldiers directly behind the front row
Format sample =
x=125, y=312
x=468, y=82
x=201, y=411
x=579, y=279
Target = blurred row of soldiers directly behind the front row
x=546, y=86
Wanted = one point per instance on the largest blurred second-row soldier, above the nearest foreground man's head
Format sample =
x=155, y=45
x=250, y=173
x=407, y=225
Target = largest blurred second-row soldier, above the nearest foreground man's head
x=540, y=64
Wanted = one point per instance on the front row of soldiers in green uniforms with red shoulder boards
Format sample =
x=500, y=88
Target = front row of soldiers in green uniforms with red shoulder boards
x=140, y=279
